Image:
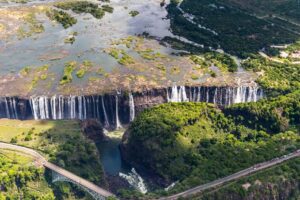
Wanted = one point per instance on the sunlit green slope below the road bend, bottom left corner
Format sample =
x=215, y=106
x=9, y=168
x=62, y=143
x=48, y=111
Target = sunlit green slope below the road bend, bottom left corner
x=19, y=178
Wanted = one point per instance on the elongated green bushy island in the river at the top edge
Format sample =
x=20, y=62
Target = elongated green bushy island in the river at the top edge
x=84, y=7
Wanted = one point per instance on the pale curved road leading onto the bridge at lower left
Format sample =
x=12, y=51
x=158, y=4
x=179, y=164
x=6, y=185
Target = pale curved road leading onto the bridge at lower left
x=59, y=170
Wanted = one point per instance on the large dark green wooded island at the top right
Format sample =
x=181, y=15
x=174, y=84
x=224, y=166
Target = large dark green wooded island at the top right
x=228, y=28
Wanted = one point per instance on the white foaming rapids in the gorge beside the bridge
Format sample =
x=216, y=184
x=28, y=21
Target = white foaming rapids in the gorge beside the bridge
x=135, y=180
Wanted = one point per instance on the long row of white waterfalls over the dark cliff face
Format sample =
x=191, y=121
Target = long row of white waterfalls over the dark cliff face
x=115, y=110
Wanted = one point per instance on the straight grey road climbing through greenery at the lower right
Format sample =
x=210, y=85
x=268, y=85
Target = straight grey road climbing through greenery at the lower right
x=234, y=176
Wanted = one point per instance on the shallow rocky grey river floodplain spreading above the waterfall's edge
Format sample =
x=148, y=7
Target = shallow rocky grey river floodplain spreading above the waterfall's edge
x=117, y=46
